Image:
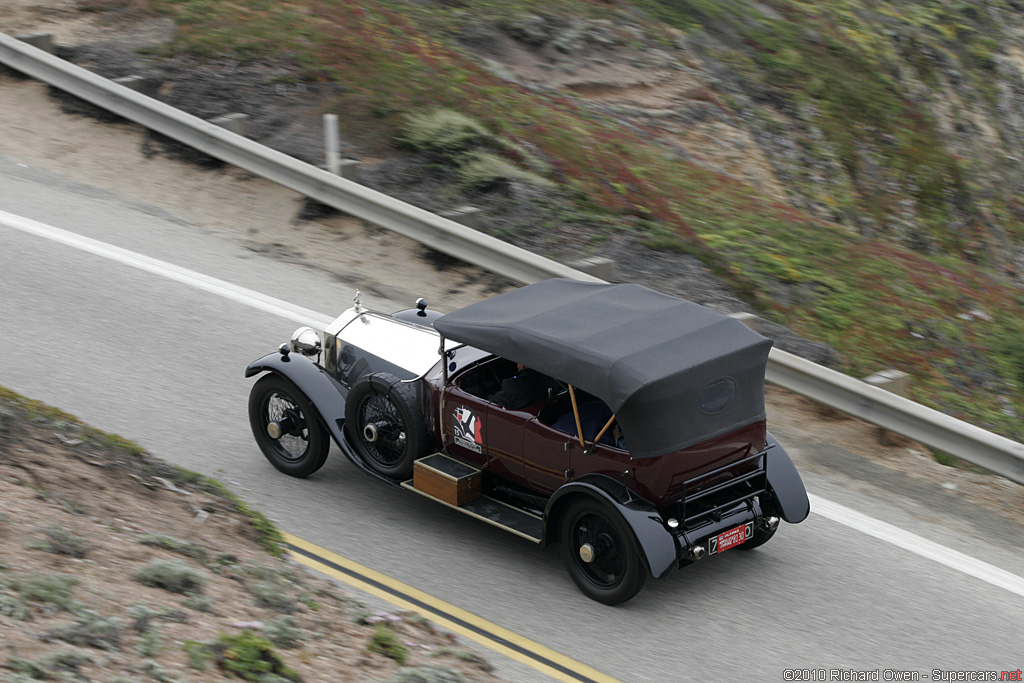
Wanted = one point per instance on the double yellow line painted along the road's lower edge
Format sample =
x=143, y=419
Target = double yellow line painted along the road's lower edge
x=458, y=621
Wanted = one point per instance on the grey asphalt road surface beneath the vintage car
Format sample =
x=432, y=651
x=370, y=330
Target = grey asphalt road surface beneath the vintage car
x=161, y=362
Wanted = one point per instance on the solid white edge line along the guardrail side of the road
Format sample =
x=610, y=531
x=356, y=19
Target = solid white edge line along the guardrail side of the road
x=833, y=511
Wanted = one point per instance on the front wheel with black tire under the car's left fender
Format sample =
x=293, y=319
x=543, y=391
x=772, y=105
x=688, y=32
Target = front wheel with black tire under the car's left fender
x=305, y=444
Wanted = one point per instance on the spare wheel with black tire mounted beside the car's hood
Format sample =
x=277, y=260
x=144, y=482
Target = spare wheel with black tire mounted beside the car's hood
x=386, y=422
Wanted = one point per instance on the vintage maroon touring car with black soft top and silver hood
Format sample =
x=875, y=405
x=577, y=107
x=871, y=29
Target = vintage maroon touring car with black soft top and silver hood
x=627, y=425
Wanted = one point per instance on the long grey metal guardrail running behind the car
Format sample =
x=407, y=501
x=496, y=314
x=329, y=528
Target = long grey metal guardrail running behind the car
x=845, y=394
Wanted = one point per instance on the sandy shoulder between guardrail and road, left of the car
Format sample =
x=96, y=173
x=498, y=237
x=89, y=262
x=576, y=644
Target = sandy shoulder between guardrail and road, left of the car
x=229, y=202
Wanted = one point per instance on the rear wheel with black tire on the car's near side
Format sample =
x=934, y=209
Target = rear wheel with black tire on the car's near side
x=617, y=572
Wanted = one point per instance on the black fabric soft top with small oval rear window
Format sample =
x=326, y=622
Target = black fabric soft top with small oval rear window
x=675, y=373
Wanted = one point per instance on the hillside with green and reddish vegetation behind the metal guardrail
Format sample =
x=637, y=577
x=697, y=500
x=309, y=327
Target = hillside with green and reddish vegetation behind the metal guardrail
x=849, y=169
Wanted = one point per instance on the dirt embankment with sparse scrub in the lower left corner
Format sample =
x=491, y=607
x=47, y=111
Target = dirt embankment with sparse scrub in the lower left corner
x=116, y=567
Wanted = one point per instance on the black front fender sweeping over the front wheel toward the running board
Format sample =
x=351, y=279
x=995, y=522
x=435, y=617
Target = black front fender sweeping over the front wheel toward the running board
x=327, y=395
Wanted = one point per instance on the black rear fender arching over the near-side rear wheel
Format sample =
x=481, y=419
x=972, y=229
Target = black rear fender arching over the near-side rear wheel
x=658, y=545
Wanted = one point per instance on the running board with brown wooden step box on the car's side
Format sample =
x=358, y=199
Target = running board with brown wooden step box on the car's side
x=488, y=509
